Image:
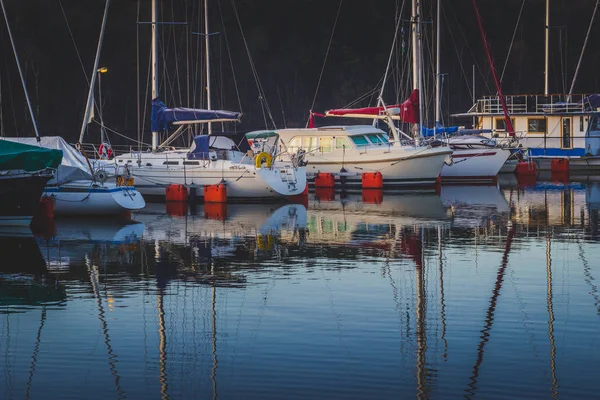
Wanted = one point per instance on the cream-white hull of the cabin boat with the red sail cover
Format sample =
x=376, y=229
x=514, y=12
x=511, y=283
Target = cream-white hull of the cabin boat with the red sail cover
x=404, y=166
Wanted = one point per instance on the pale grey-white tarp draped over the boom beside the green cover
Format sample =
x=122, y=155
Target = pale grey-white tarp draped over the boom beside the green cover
x=73, y=166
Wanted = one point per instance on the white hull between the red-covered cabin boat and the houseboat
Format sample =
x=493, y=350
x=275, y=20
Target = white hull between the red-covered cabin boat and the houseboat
x=479, y=165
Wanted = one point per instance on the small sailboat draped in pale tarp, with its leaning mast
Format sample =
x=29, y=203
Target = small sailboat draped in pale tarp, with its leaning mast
x=78, y=189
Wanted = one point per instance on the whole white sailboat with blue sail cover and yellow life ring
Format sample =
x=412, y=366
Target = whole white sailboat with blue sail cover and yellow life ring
x=207, y=161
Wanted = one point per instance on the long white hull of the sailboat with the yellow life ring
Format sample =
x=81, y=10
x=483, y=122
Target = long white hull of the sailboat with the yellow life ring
x=243, y=181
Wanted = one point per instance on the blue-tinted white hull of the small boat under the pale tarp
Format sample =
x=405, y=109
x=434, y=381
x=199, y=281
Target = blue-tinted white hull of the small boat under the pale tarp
x=87, y=198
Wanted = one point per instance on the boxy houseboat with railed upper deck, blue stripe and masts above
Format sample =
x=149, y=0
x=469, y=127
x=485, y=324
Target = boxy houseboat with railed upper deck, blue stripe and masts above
x=552, y=126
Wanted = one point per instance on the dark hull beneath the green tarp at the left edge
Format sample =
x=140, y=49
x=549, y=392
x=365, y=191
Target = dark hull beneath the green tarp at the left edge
x=19, y=197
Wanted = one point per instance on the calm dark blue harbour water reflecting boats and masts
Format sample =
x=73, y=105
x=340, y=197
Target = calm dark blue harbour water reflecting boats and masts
x=480, y=292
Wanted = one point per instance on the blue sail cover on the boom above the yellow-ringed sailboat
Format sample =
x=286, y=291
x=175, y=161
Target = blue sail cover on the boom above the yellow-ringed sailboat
x=163, y=117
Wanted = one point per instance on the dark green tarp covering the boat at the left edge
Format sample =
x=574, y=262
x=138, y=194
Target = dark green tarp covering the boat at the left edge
x=19, y=156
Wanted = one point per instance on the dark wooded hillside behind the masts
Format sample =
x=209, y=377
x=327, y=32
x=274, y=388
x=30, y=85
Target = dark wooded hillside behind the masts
x=287, y=41
